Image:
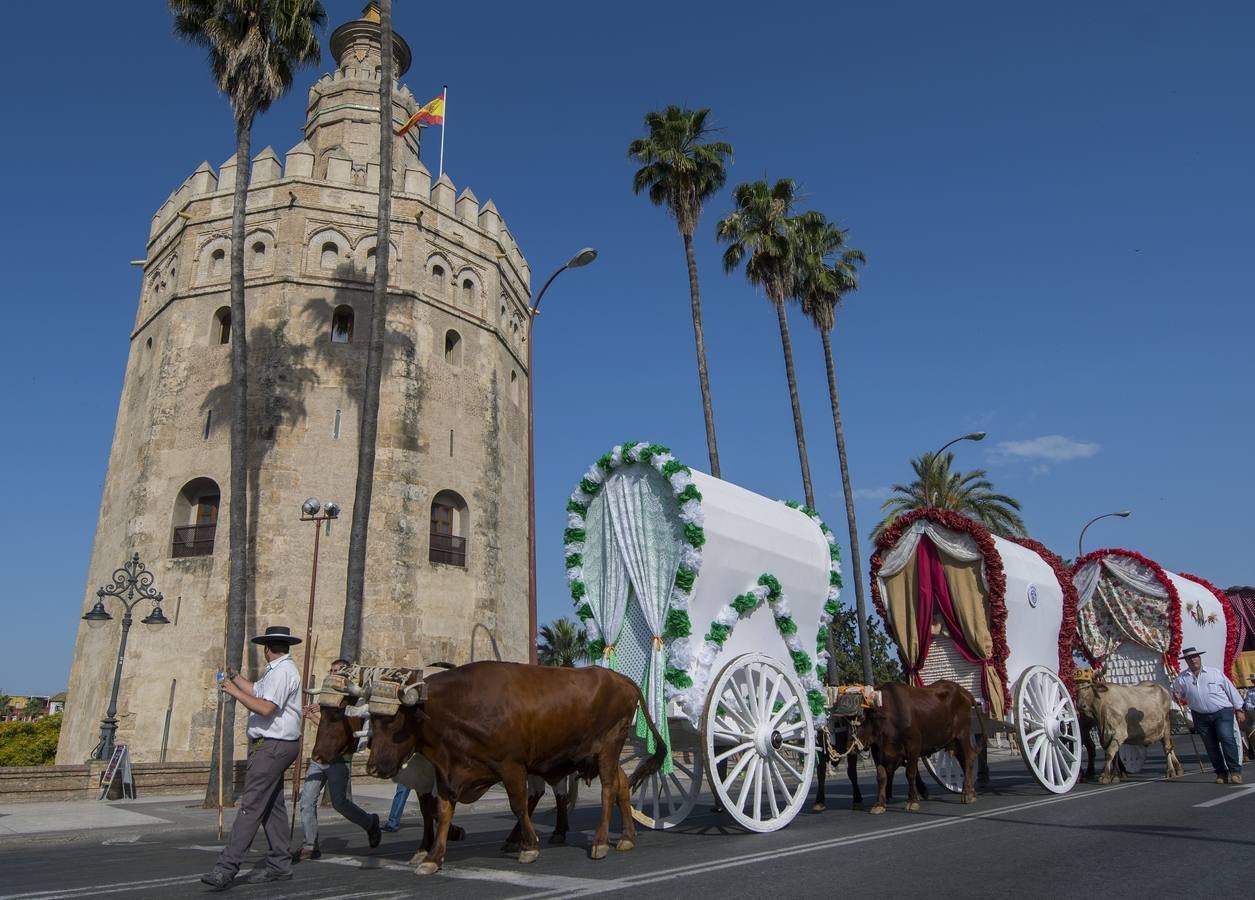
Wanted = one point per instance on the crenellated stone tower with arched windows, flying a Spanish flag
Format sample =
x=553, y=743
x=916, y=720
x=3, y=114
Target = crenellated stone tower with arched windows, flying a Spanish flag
x=447, y=568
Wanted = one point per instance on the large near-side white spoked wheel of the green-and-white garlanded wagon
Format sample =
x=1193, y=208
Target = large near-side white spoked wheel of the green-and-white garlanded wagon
x=759, y=725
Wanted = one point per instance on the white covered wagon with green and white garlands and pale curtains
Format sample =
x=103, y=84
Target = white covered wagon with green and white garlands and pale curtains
x=716, y=602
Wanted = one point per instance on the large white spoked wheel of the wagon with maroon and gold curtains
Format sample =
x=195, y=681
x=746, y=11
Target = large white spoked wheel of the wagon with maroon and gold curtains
x=1049, y=730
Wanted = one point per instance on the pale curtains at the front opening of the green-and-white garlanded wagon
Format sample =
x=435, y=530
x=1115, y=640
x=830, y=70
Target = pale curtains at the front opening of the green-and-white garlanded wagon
x=648, y=538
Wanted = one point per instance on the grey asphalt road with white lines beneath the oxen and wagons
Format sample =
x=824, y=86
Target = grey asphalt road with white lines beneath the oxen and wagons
x=1148, y=837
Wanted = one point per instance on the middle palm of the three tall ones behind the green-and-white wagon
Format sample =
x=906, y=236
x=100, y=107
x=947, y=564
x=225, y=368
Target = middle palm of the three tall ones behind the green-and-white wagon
x=761, y=233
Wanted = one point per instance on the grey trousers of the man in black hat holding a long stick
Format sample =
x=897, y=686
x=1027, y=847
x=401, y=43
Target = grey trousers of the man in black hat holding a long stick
x=262, y=806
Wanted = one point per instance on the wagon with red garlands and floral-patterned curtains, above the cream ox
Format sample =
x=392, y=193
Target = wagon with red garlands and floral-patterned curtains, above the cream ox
x=1135, y=618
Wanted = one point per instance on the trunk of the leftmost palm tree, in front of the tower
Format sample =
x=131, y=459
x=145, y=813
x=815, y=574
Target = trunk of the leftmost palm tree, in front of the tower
x=238, y=505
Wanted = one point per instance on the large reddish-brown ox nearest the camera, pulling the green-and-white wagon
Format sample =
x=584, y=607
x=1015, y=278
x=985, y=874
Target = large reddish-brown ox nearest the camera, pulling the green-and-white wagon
x=493, y=722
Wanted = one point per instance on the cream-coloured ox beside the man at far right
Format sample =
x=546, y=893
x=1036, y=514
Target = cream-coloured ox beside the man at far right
x=1129, y=714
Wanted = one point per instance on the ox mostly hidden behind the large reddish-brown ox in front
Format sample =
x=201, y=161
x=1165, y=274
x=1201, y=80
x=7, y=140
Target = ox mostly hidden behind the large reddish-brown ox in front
x=338, y=735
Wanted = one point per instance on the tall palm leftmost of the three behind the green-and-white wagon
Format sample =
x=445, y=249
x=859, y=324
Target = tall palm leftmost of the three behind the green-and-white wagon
x=682, y=171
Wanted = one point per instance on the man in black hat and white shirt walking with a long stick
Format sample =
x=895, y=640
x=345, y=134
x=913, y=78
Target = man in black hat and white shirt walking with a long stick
x=274, y=705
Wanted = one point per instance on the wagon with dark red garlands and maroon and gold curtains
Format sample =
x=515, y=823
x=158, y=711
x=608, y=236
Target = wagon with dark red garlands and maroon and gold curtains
x=996, y=616
